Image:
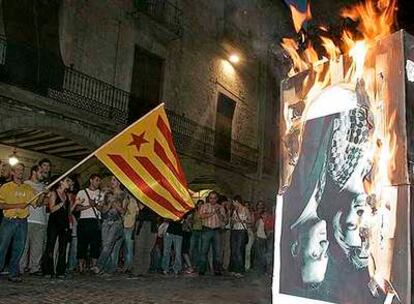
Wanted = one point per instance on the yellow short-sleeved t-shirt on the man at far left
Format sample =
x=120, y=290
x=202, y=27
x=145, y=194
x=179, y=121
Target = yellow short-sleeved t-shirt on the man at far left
x=12, y=193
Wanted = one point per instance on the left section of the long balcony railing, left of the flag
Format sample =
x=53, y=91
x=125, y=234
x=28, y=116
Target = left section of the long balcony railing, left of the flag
x=44, y=73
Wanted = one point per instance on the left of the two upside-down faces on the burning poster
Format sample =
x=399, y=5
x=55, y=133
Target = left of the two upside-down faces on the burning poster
x=313, y=252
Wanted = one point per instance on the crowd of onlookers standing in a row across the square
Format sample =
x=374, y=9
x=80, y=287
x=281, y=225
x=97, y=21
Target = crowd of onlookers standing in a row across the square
x=103, y=229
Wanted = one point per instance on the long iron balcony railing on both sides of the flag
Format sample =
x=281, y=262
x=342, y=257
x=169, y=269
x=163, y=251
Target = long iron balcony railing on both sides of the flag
x=49, y=77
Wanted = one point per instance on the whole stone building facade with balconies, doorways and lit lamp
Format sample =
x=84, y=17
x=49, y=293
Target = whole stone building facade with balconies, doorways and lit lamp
x=99, y=65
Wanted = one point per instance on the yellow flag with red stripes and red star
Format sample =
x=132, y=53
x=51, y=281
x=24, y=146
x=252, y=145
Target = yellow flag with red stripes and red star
x=144, y=159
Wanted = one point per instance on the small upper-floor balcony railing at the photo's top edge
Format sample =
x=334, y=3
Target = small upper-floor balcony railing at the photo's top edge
x=163, y=12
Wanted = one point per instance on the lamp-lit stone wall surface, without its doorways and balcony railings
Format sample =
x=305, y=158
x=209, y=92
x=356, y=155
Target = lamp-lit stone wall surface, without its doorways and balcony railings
x=98, y=38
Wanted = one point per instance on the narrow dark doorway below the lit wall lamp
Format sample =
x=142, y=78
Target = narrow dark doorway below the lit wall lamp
x=223, y=130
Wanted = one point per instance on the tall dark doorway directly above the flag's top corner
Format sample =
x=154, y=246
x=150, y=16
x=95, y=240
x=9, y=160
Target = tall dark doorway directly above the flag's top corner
x=146, y=83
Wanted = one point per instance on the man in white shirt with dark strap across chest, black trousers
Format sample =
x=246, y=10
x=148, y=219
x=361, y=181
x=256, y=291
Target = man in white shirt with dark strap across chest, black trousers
x=88, y=231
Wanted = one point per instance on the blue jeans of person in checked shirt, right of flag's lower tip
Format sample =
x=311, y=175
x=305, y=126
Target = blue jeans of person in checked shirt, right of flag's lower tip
x=210, y=237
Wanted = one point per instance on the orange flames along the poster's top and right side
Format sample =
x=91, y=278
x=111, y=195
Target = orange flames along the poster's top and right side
x=375, y=20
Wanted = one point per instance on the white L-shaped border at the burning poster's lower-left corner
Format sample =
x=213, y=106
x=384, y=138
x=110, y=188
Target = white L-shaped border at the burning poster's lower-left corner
x=276, y=295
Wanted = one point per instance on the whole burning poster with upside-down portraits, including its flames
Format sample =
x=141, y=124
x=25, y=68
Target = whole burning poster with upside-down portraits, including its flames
x=344, y=200
